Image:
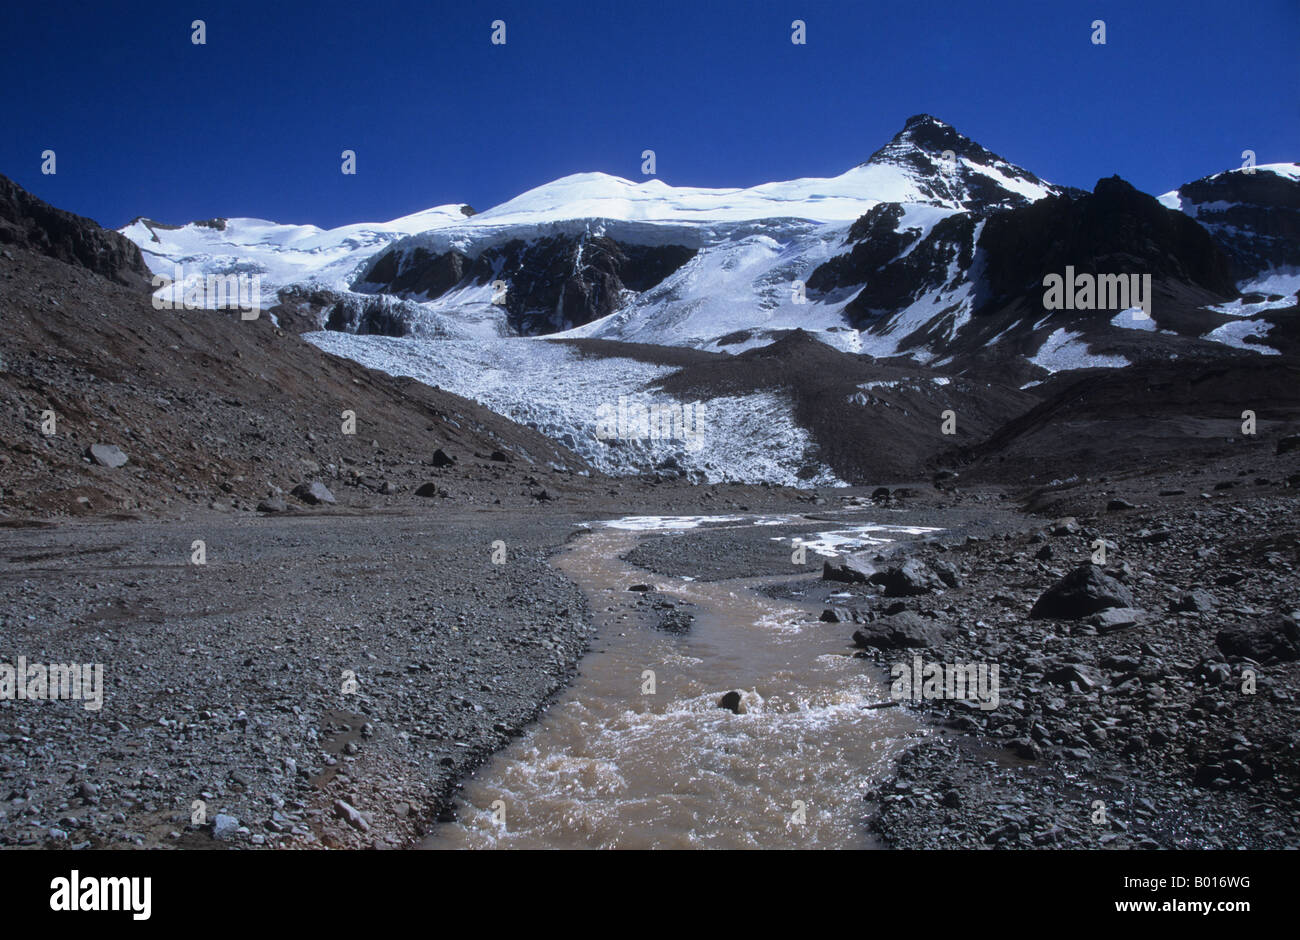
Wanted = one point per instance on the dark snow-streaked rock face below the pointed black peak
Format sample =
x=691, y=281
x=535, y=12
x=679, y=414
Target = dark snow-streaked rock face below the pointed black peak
x=981, y=272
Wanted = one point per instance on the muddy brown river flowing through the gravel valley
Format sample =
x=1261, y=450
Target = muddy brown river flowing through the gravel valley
x=638, y=753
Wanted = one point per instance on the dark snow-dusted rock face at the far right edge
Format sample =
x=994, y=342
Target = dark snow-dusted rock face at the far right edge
x=1255, y=218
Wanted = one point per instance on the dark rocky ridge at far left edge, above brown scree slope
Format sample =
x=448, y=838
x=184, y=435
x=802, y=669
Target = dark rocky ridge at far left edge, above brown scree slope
x=37, y=226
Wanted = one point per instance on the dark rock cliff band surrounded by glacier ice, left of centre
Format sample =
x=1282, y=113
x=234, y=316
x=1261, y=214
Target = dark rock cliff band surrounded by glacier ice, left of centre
x=553, y=284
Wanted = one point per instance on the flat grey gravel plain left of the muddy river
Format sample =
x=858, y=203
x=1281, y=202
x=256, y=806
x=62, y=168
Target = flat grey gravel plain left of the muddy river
x=322, y=679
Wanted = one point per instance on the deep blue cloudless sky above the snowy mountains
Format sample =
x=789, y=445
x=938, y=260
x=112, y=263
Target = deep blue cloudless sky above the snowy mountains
x=253, y=124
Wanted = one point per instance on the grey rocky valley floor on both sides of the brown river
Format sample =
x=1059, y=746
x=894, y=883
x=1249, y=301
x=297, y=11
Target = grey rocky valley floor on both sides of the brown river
x=227, y=683
